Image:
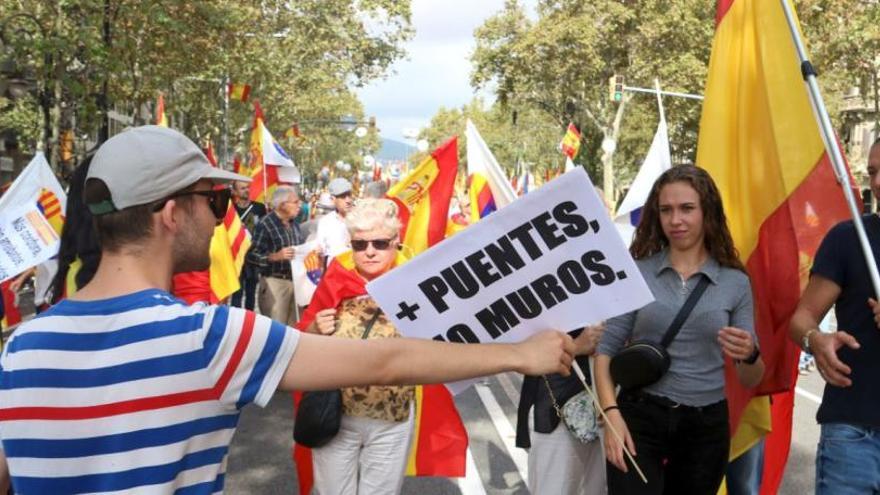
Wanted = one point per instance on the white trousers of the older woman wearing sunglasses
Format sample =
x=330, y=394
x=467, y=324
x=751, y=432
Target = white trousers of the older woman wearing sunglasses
x=367, y=457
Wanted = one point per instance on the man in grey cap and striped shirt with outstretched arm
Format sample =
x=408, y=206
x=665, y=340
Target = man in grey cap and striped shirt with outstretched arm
x=124, y=388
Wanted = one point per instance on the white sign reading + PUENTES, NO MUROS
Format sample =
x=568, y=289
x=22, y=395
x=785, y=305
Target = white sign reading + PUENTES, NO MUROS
x=552, y=259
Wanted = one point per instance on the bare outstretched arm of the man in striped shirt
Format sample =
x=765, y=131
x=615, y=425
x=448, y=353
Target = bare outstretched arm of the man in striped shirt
x=322, y=363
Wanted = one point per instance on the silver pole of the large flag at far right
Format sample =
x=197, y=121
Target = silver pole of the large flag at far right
x=830, y=140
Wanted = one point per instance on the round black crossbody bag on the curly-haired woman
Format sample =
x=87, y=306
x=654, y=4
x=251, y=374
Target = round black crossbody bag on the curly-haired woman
x=642, y=362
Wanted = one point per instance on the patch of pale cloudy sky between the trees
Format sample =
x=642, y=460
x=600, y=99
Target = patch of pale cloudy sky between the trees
x=436, y=69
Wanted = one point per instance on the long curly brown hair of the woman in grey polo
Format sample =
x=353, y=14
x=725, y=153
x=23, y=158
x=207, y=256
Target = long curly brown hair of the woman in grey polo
x=649, y=237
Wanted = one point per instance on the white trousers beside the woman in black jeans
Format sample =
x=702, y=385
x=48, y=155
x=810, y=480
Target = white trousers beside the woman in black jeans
x=560, y=464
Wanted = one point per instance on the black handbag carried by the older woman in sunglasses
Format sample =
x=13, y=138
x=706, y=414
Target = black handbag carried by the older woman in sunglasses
x=320, y=412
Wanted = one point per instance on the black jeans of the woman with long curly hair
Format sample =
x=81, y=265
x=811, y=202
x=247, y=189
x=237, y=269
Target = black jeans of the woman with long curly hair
x=681, y=449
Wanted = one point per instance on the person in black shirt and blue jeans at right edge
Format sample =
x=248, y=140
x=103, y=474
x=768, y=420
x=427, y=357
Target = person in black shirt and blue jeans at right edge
x=848, y=455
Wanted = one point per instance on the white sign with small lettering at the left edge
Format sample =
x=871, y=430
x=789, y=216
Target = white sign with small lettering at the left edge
x=26, y=240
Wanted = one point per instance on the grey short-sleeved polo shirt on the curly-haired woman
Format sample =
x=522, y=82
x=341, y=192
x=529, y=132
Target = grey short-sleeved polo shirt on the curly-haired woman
x=696, y=374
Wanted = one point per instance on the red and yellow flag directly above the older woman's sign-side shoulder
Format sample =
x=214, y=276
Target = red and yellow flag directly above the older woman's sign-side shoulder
x=423, y=198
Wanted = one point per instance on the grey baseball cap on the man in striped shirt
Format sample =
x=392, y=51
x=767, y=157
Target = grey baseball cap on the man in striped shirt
x=148, y=163
